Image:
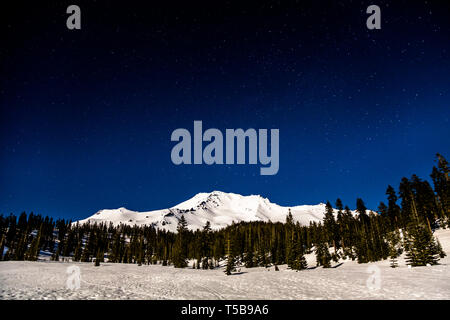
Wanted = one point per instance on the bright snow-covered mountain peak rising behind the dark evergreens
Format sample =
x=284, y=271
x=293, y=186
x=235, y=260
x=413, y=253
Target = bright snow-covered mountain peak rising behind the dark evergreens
x=219, y=208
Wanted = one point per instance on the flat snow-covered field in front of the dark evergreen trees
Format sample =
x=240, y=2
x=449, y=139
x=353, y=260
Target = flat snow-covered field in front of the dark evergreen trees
x=347, y=280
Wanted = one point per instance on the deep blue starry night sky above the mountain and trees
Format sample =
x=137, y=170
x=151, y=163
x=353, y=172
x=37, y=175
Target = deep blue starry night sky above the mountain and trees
x=86, y=115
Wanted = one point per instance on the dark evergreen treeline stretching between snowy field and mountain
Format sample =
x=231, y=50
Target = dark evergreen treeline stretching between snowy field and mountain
x=404, y=223
